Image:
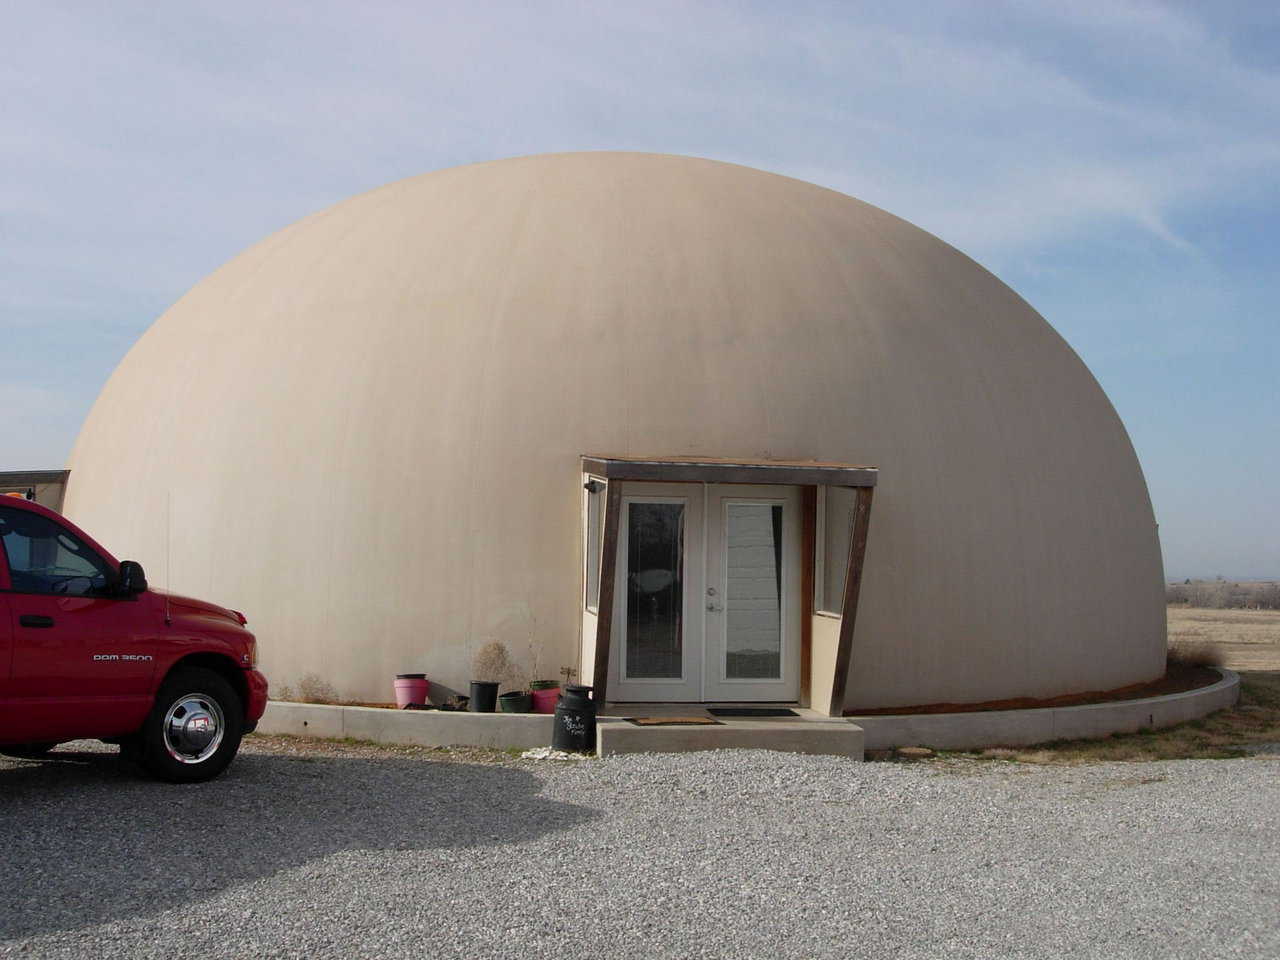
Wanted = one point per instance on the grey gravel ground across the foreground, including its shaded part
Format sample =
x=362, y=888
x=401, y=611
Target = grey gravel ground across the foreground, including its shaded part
x=330, y=851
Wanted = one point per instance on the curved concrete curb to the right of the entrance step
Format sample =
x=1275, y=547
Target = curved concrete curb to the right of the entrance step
x=959, y=732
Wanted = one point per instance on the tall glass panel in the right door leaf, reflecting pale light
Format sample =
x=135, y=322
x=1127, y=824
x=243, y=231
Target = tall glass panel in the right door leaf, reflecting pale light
x=753, y=596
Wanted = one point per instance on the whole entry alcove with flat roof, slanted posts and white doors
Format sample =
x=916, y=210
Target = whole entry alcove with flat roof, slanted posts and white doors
x=723, y=580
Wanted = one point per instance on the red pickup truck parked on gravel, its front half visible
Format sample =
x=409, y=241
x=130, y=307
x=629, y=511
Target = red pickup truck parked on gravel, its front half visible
x=88, y=651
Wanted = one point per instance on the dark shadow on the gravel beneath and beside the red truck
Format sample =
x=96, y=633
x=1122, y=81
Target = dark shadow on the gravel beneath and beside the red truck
x=85, y=840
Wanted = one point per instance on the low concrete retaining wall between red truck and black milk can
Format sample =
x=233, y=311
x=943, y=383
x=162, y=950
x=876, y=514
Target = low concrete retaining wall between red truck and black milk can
x=502, y=732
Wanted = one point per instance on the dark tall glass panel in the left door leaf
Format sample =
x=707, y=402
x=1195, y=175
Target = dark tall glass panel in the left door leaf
x=656, y=591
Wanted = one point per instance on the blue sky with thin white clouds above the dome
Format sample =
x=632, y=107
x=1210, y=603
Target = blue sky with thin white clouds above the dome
x=1117, y=163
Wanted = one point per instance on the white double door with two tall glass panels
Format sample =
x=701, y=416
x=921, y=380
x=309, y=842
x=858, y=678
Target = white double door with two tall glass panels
x=707, y=598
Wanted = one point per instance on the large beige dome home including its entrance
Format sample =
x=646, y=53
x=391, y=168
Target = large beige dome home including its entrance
x=627, y=414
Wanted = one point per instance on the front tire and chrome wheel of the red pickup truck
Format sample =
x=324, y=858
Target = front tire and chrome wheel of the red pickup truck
x=194, y=729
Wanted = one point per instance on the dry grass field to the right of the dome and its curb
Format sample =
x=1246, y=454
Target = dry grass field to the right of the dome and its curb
x=1247, y=642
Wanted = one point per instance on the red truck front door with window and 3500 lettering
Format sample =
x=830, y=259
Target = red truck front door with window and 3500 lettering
x=83, y=659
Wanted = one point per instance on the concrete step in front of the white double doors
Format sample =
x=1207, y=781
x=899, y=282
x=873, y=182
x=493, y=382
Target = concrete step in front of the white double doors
x=830, y=738
